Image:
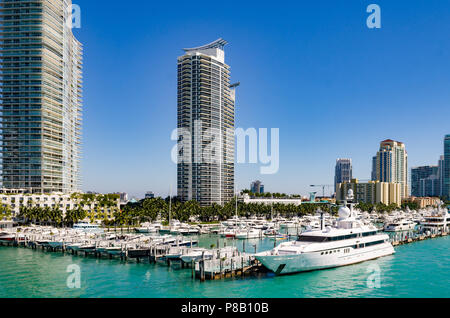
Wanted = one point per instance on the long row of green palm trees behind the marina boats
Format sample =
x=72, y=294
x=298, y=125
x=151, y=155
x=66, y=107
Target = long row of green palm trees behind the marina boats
x=149, y=210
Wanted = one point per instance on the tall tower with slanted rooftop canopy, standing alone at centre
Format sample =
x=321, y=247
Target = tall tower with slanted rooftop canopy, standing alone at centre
x=206, y=111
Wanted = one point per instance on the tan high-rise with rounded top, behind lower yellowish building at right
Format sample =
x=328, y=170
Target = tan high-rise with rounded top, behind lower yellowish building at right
x=392, y=164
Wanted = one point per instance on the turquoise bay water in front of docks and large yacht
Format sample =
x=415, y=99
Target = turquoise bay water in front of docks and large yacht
x=419, y=269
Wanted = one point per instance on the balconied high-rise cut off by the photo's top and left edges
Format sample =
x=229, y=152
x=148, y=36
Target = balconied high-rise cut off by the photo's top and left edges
x=40, y=87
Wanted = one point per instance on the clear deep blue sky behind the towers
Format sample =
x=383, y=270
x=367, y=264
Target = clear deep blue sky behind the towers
x=313, y=69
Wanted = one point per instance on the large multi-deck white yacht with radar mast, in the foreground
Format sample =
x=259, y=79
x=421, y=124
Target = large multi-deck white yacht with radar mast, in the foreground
x=349, y=241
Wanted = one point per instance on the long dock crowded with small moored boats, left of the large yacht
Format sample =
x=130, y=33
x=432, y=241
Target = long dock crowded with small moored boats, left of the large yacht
x=222, y=262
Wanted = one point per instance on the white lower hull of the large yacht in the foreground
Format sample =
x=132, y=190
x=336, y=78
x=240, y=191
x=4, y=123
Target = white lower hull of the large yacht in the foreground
x=295, y=263
